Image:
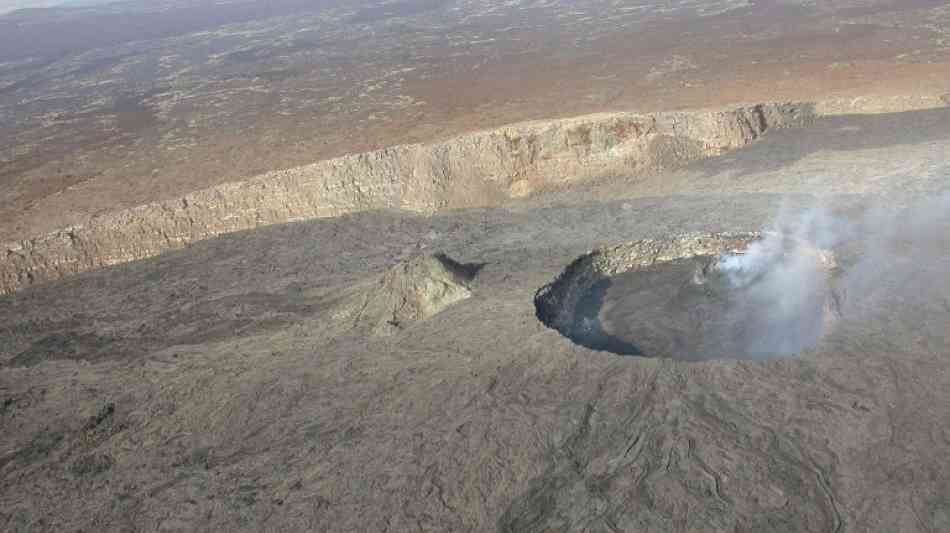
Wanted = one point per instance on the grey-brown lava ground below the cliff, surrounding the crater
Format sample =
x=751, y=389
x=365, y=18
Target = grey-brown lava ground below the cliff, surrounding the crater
x=327, y=376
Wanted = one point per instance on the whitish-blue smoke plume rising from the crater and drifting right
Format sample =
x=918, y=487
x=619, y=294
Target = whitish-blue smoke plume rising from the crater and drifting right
x=790, y=287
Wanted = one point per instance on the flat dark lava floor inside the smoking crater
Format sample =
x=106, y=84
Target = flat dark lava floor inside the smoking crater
x=688, y=309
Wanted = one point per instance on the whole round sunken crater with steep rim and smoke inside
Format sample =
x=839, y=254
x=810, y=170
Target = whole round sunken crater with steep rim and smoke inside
x=696, y=297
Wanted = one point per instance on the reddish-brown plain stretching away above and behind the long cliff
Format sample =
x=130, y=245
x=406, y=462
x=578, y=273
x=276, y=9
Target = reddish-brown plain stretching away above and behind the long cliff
x=103, y=108
